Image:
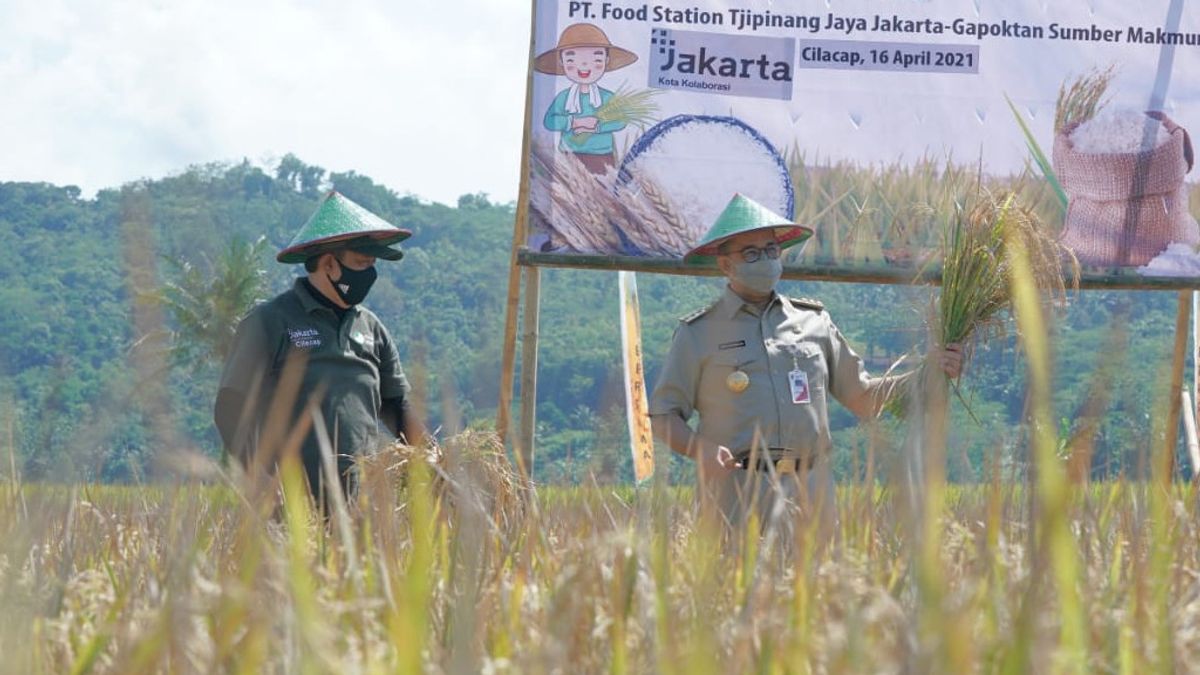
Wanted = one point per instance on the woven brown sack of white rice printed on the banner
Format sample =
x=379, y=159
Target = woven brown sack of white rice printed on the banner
x=1124, y=176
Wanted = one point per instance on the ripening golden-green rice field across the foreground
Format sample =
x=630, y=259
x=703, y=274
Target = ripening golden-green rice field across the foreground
x=463, y=569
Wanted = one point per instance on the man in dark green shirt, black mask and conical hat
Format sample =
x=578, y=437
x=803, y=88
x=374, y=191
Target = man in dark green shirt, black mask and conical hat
x=313, y=365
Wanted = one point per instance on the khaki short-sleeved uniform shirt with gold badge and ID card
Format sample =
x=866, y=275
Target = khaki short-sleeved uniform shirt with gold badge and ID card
x=766, y=345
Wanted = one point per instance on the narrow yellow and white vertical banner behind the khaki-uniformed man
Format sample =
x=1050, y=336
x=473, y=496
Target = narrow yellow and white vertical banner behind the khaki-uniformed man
x=637, y=408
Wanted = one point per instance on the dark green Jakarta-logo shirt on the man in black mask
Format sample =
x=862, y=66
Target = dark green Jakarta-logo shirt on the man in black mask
x=353, y=362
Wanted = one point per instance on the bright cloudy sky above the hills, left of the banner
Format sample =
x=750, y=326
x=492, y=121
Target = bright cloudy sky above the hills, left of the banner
x=424, y=97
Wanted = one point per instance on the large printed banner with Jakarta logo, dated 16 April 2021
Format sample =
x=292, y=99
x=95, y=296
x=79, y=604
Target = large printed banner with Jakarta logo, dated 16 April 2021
x=875, y=123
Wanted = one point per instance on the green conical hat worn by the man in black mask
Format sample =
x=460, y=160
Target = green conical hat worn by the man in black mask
x=341, y=224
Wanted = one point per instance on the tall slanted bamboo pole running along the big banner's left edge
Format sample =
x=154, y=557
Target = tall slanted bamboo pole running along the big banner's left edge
x=520, y=228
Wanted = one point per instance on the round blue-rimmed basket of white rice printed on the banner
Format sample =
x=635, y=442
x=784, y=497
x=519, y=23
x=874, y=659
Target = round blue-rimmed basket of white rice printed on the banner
x=695, y=165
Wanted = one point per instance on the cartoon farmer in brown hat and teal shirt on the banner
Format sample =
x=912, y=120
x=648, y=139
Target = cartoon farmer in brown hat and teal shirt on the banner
x=584, y=55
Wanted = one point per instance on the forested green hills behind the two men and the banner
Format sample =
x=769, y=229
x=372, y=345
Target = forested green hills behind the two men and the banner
x=89, y=390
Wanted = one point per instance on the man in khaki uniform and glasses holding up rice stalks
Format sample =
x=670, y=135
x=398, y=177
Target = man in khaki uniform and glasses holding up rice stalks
x=759, y=368
